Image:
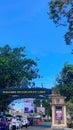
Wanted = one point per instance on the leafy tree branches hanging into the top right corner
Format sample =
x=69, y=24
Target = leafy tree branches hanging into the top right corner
x=61, y=12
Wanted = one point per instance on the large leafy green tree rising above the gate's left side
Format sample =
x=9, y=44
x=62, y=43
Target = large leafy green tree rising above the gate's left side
x=16, y=68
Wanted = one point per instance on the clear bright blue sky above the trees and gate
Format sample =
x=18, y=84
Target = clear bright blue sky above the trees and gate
x=26, y=23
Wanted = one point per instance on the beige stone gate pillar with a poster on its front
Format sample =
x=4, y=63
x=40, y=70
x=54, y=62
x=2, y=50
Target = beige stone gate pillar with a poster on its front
x=58, y=111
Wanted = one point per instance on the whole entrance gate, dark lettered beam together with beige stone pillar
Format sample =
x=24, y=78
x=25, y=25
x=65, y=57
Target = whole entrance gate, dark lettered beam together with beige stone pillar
x=58, y=105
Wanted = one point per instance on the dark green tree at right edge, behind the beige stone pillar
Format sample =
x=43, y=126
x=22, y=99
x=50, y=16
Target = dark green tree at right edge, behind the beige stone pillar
x=65, y=82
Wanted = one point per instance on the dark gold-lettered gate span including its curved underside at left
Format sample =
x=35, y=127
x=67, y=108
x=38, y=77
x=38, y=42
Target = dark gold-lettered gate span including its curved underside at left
x=11, y=94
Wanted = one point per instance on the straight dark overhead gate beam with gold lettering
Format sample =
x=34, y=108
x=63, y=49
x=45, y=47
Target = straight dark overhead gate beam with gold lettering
x=31, y=92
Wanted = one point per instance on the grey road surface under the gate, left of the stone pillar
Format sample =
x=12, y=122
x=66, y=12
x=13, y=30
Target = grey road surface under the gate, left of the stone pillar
x=42, y=126
